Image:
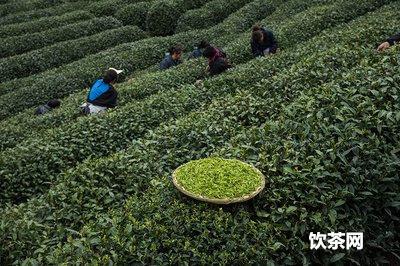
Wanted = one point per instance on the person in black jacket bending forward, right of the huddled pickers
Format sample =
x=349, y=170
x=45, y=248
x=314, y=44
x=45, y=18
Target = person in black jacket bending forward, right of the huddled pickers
x=263, y=42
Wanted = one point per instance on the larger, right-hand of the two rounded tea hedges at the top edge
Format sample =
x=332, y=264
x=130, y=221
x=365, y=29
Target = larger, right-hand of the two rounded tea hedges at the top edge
x=163, y=15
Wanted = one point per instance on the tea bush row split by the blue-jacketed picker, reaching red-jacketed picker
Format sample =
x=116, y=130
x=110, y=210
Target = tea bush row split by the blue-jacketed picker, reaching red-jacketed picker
x=16, y=129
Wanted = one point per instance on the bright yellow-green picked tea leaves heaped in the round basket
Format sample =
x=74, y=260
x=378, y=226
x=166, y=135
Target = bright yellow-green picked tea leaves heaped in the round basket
x=219, y=178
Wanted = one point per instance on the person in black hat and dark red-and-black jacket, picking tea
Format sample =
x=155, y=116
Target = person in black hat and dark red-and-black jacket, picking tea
x=217, y=61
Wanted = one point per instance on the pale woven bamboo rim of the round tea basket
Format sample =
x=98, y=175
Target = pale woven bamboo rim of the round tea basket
x=219, y=201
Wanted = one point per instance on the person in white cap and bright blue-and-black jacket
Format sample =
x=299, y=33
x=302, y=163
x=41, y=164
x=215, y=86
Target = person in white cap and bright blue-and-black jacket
x=102, y=94
